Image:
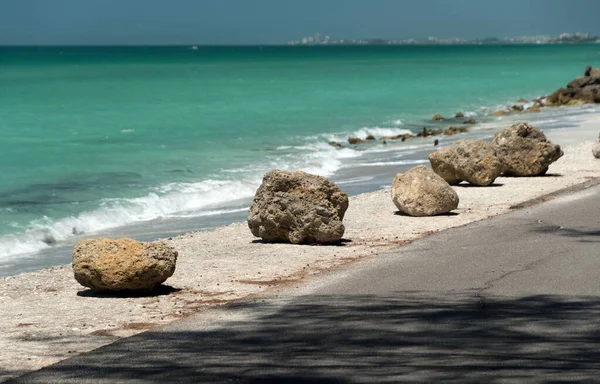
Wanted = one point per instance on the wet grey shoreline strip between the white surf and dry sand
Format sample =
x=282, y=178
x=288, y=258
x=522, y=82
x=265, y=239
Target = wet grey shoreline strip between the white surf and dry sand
x=368, y=171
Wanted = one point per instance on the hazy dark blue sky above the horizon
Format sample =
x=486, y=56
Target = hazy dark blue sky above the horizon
x=82, y=22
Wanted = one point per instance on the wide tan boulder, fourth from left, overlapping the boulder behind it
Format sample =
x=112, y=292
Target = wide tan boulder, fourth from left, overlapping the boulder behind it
x=474, y=161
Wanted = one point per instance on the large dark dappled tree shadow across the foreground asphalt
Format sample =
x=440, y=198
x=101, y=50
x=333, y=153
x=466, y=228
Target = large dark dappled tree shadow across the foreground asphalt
x=411, y=337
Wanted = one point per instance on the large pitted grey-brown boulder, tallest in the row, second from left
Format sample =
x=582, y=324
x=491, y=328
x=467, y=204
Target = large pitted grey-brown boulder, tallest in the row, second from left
x=298, y=207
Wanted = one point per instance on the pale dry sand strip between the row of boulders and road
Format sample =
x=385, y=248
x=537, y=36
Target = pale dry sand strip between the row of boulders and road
x=48, y=317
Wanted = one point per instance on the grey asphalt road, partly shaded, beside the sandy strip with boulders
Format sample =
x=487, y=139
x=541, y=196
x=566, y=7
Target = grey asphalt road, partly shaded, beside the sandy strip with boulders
x=514, y=299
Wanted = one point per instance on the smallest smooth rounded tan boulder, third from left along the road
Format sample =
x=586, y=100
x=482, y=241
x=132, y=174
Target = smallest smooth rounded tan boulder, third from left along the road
x=422, y=192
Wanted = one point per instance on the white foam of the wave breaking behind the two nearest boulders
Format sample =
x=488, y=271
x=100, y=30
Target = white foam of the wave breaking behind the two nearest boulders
x=175, y=200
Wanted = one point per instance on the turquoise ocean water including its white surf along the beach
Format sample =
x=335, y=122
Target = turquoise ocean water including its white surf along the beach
x=159, y=139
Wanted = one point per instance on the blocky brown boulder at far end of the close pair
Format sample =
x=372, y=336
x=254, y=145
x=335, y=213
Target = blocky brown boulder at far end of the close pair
x=525, y=151
